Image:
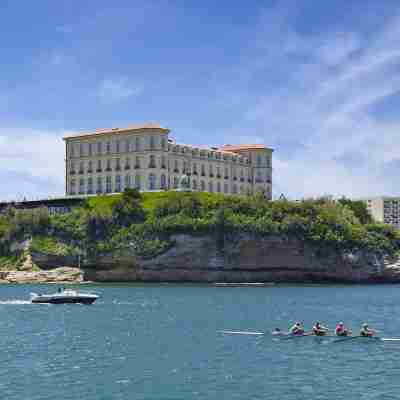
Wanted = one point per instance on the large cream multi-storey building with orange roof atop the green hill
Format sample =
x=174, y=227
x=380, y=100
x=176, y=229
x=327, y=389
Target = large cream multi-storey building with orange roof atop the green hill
x=146, y=158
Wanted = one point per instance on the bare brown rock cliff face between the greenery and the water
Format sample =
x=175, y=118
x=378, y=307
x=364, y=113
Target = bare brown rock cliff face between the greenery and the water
x=241, y=258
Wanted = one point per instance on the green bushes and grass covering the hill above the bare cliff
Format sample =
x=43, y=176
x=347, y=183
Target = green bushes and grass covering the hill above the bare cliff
x=146, y=222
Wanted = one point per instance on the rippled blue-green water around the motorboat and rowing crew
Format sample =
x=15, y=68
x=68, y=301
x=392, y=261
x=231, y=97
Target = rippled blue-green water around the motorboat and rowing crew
x=161, y=342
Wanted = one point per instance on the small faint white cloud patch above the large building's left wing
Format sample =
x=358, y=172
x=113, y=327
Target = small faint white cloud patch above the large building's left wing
x=117, y=89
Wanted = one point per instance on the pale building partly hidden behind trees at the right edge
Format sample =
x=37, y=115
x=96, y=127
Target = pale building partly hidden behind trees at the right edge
x=385, y=209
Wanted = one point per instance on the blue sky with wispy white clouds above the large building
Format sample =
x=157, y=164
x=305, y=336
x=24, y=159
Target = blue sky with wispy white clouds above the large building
x=317, y=81
